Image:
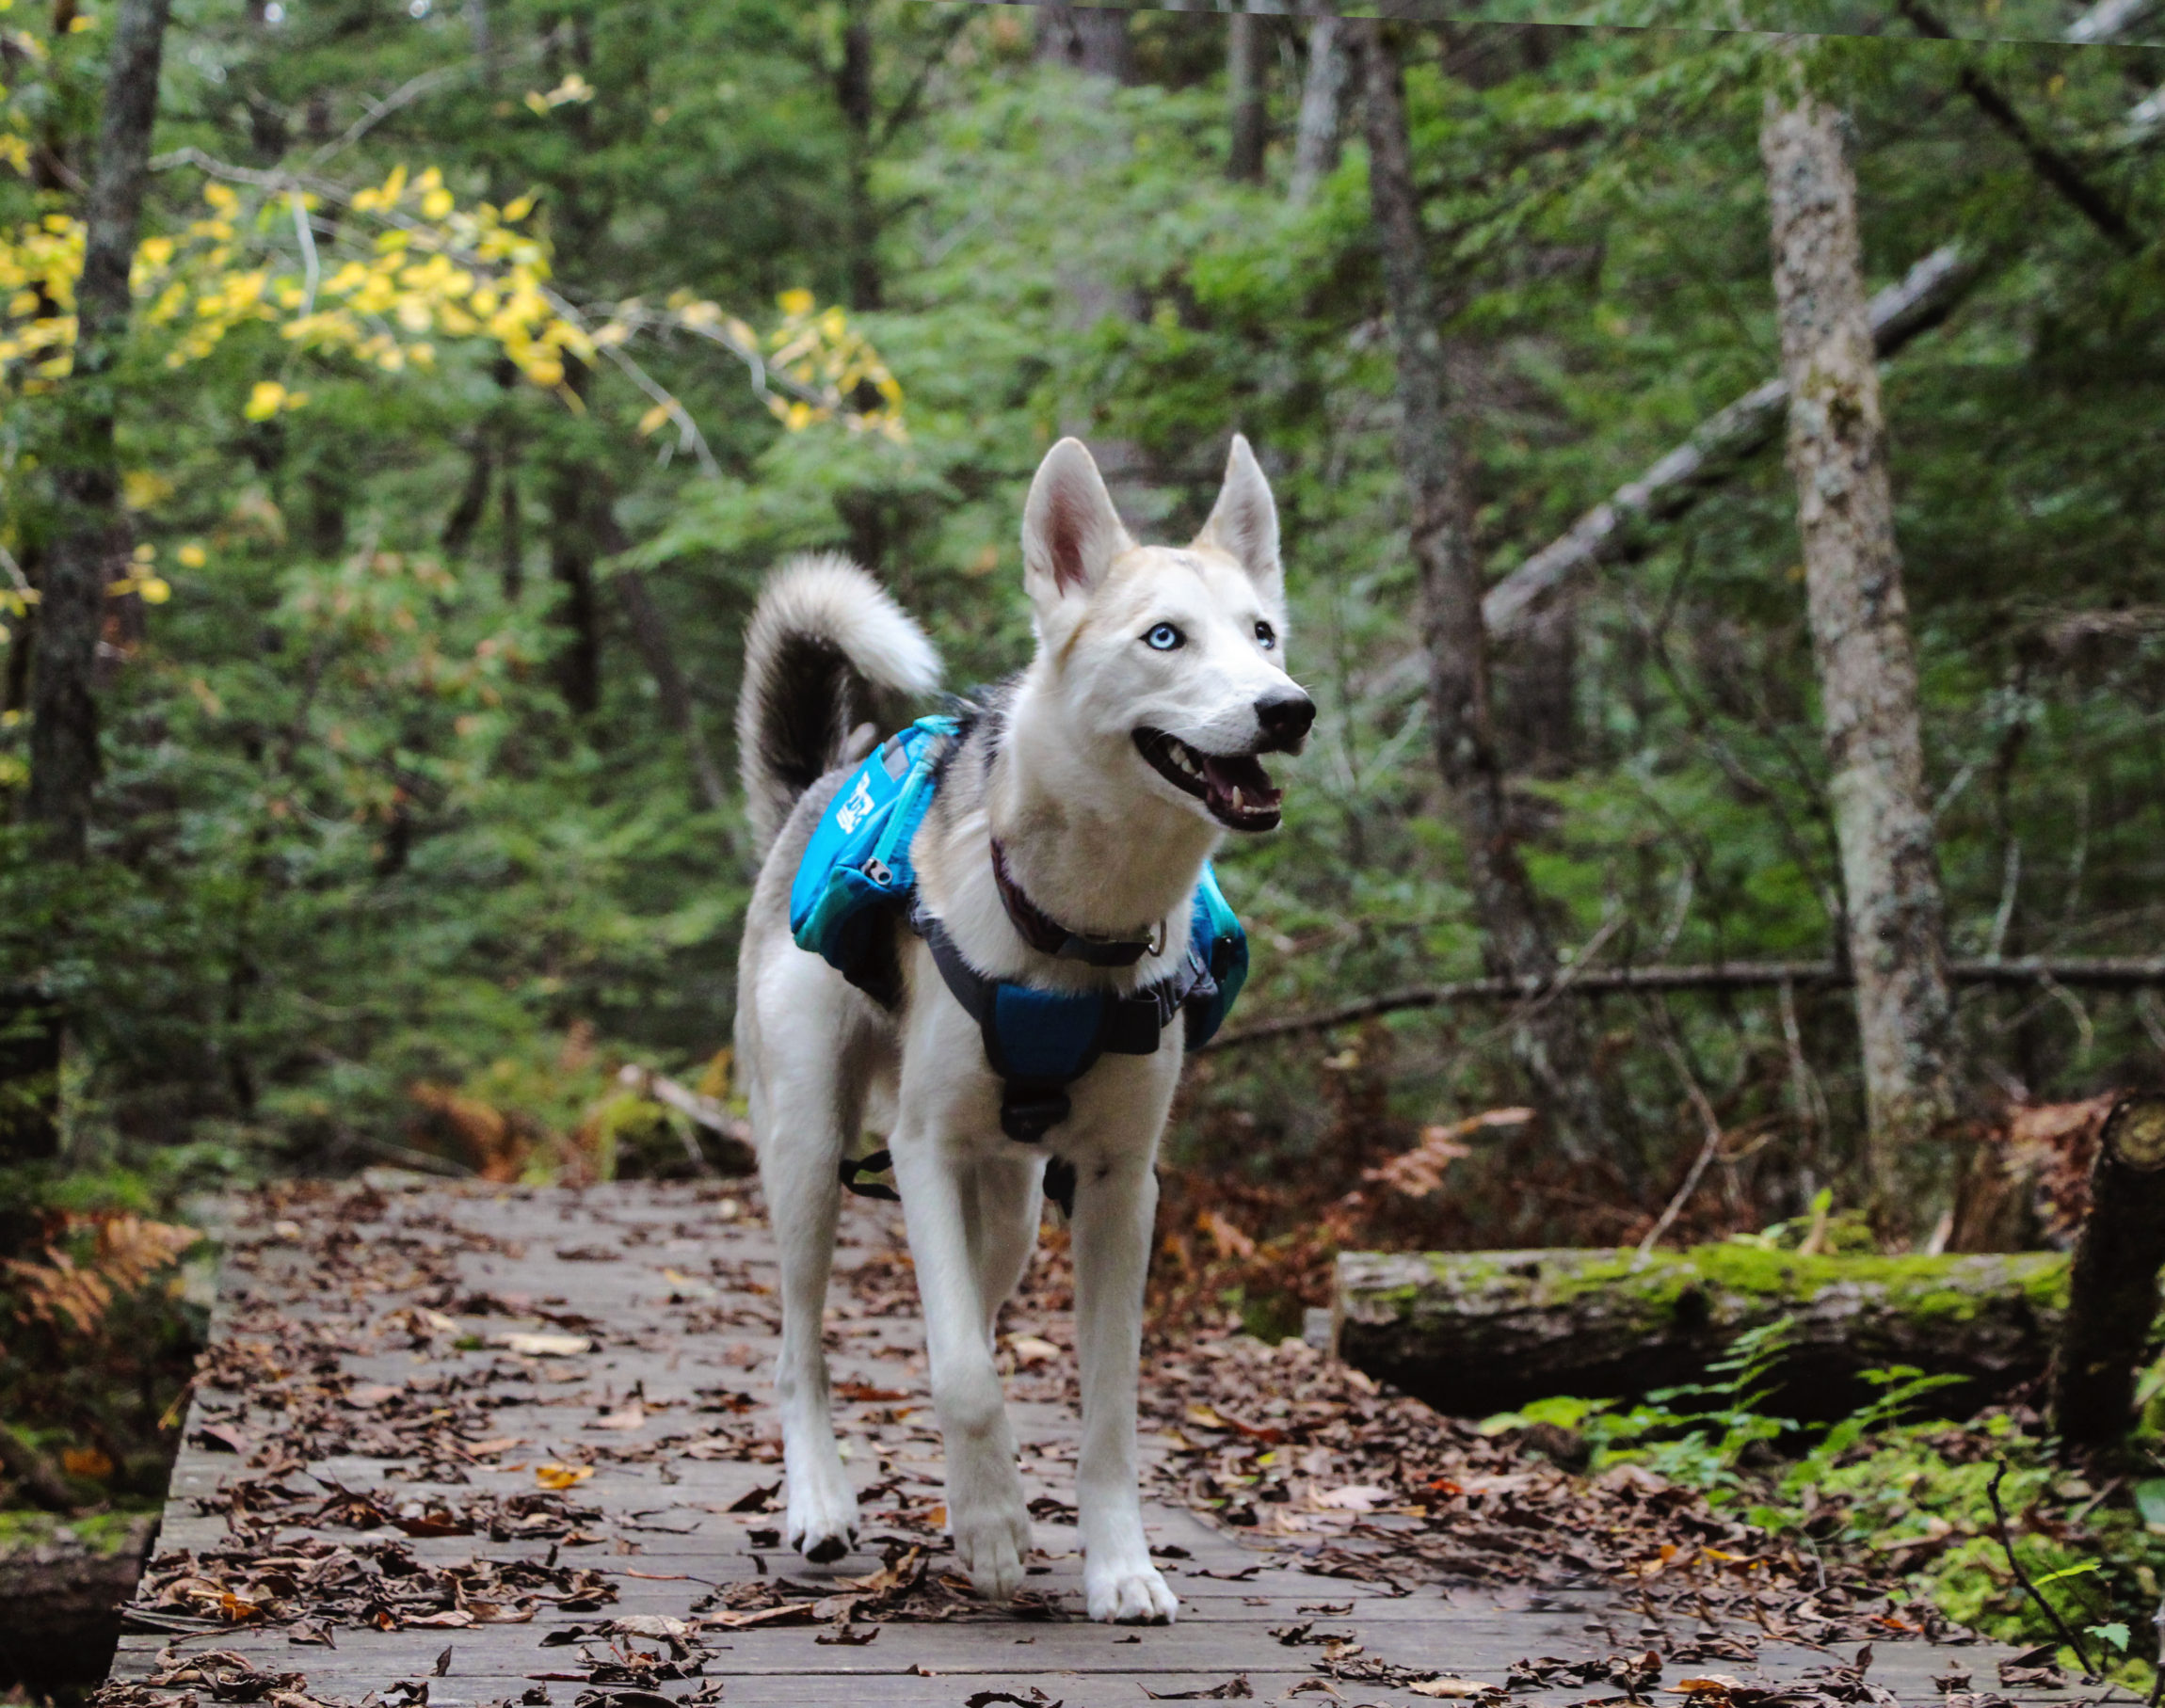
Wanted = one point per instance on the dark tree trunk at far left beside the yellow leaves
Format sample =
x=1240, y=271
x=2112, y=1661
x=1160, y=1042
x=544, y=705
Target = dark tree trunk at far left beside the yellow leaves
x=88, y=542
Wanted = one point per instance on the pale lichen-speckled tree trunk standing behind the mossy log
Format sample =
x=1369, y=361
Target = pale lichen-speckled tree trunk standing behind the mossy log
x=1861, y=644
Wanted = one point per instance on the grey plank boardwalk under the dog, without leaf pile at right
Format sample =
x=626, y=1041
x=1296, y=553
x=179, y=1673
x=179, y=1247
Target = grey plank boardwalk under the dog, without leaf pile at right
x=573, y=1391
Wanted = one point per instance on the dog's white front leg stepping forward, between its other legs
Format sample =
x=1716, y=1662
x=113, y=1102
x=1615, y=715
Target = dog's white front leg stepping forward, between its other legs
x=986, y=1514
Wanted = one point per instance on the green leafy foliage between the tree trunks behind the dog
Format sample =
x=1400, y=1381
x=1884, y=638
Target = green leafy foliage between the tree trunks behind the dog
x=367, y=830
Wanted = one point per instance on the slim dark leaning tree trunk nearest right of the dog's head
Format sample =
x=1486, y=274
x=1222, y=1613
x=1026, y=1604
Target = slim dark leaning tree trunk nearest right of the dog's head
x=1551, y=1042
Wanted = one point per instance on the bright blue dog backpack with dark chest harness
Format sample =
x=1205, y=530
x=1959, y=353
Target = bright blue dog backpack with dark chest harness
x=856, y=884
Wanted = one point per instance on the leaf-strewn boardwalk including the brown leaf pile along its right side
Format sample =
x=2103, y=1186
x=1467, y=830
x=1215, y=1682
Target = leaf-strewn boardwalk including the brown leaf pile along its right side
x=482, y=1445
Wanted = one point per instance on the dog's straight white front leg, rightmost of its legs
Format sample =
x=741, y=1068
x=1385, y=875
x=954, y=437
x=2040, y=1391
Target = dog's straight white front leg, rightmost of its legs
x=1116, y=1209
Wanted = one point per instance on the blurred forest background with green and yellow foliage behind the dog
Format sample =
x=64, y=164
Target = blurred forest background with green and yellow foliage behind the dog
x=486, y=354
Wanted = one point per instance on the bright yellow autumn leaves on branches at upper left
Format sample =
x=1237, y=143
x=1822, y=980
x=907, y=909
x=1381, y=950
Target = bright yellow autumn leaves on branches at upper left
x=410, y=272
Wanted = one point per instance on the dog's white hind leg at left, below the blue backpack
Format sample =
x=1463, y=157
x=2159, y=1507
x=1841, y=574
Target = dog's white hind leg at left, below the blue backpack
x=804, y=1116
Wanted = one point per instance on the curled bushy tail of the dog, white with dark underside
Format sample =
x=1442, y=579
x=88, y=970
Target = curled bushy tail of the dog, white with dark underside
x=824, y=644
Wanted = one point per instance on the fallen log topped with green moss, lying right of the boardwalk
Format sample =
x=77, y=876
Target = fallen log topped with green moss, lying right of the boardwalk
x=1482, y=1332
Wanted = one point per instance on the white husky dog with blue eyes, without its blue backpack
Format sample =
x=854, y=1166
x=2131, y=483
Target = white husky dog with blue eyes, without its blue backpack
x=1105, y=774
